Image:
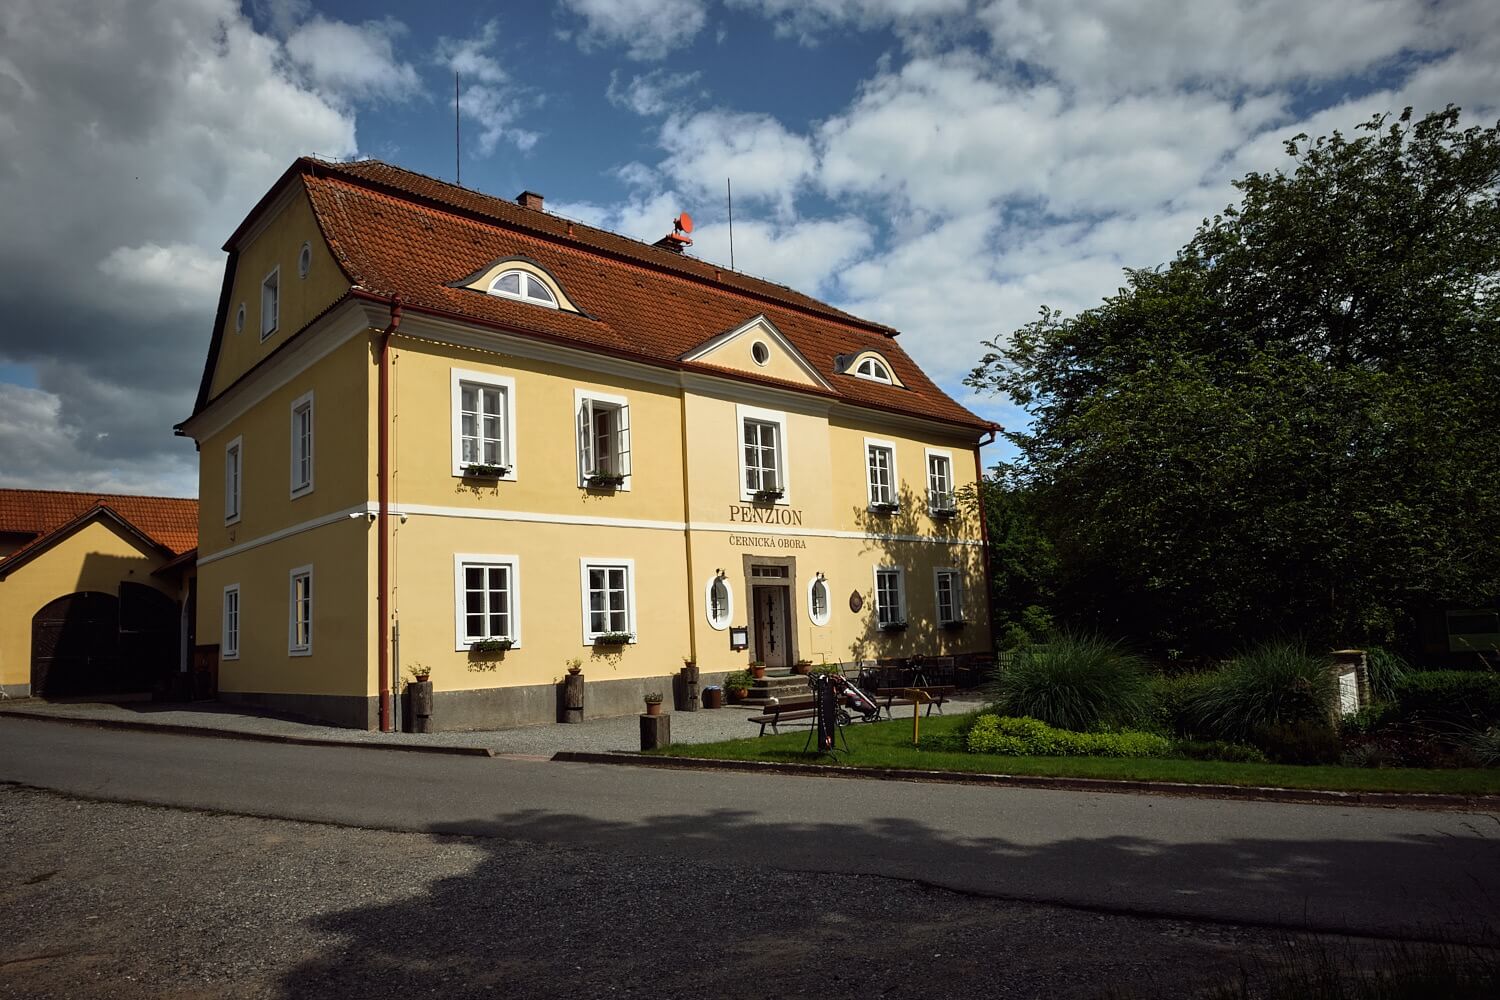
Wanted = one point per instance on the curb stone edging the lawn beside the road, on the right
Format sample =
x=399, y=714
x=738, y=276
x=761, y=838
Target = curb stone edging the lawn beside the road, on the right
x=1259, y=794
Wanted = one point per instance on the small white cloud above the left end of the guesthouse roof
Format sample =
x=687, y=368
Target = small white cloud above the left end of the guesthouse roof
x=353, y=61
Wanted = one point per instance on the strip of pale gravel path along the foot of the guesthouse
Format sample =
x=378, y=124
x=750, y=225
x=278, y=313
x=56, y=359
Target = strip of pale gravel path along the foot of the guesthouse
x=599, y=735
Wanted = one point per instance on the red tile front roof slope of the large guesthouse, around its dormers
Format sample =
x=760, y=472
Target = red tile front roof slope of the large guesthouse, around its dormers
x=401, y=233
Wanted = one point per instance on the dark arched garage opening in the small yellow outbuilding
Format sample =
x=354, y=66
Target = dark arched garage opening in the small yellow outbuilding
x=94, y=644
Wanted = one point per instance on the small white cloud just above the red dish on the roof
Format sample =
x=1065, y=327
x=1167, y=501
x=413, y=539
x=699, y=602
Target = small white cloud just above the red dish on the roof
x=764, y=160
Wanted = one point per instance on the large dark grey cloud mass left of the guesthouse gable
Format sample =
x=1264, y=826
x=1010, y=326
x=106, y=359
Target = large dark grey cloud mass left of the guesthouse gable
x=142, y=143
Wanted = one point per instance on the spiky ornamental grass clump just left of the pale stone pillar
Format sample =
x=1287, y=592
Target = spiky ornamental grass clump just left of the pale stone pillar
x=1279, y=684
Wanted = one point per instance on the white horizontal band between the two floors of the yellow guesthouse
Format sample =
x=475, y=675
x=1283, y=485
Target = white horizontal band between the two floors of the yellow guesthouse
x=574, y=521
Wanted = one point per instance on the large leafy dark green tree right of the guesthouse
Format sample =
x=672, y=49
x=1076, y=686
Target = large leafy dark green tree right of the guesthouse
x=1294, y=428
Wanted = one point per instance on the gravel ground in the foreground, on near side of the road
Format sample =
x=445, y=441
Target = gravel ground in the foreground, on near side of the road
x=142, y=902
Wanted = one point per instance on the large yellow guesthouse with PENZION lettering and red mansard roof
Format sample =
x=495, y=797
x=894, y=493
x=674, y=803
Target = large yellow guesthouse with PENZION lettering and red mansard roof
x=451, y=431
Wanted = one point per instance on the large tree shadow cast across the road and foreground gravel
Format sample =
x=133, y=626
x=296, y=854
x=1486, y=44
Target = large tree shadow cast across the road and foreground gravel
x=715, y=906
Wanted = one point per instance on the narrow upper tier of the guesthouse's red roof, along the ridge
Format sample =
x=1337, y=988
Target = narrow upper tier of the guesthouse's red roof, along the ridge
x=682, y=266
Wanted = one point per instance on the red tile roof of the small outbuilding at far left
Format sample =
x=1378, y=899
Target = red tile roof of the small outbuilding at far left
x=167, y=521
